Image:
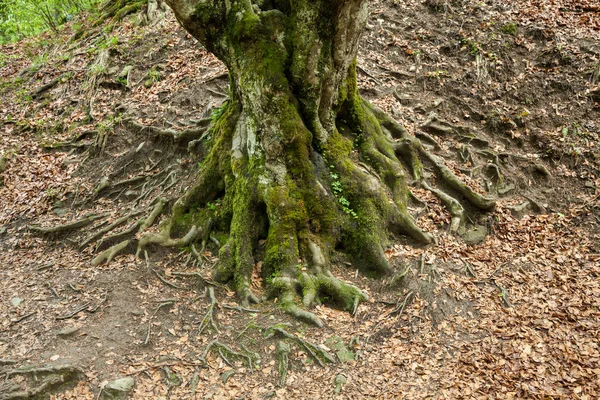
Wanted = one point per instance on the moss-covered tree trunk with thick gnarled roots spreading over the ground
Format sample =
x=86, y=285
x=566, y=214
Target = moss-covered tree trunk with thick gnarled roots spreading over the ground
x=298, y=157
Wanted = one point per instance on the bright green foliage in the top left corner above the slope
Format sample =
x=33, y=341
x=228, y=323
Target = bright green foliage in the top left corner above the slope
x=23, y=18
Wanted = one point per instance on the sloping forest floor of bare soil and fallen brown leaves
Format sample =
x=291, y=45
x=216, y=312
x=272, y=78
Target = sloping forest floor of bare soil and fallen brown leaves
x=509, y=308
